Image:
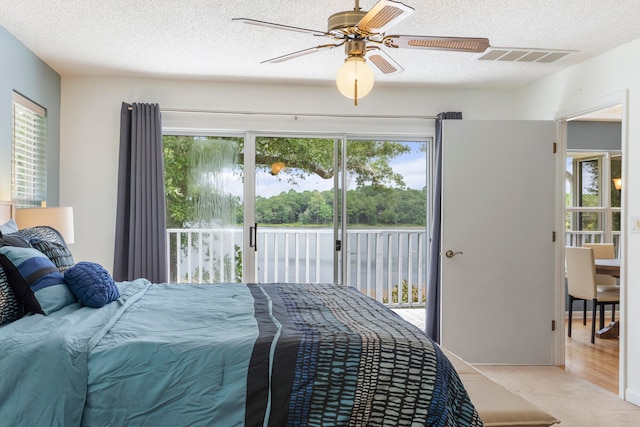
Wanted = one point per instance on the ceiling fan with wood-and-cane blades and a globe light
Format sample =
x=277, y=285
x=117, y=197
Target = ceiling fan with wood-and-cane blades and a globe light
x=363, y=35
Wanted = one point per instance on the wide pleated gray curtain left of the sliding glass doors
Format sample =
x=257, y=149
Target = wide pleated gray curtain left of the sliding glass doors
x=140, y=247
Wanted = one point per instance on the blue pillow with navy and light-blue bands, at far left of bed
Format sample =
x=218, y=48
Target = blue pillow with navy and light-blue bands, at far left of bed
x=35, y=280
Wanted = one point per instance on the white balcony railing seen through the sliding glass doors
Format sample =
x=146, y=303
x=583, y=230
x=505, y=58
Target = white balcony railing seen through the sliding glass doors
x=386, y=264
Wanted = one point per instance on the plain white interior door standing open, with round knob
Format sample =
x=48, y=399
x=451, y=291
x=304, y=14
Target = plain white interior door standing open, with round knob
x=498, y=210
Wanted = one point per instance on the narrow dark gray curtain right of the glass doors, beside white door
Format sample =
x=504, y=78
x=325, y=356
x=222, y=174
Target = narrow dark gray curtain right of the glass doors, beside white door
x=432, y=308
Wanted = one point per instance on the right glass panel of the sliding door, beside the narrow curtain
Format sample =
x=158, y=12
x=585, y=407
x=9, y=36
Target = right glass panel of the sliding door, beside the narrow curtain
x=386, y=213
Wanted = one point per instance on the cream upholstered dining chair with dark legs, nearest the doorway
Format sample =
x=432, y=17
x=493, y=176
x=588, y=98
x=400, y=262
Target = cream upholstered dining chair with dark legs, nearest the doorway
x=582, y=286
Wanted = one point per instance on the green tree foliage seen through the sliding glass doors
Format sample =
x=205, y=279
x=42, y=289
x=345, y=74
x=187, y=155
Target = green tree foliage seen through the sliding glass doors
x=378, y=199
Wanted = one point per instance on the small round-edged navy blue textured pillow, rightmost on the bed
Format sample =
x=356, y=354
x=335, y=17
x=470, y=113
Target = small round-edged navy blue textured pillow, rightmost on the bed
x=92, y=284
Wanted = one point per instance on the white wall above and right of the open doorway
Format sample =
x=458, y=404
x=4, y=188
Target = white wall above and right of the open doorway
x=614, y=75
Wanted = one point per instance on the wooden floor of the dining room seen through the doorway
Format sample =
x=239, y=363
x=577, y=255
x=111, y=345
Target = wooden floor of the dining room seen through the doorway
x=596, y=363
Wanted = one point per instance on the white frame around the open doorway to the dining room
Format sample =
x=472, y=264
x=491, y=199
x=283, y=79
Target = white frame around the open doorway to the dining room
x=561, y=117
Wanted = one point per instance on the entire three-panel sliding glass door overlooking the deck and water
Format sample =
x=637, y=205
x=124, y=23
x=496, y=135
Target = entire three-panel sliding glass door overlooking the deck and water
x=322, y=209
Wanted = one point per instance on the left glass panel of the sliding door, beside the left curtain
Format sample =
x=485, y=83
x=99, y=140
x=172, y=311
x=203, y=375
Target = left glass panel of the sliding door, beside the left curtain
x=204, y=188
